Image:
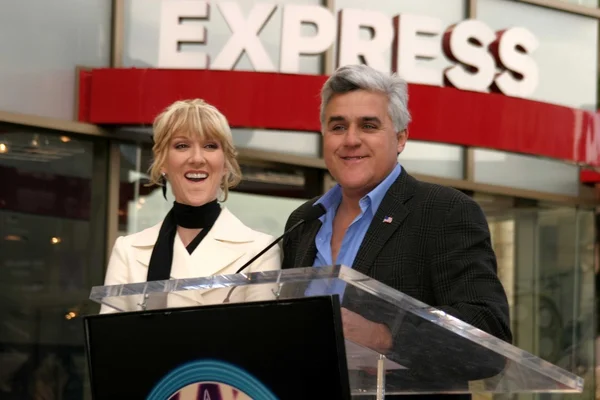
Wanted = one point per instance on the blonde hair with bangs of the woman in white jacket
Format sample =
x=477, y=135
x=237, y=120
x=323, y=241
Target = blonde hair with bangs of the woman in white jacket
x=194, y=118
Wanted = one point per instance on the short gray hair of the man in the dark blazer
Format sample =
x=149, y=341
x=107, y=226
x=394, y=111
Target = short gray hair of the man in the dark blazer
x=355, y=77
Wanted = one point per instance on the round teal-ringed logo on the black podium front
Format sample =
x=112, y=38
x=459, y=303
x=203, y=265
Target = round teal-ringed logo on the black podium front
x=210, y=380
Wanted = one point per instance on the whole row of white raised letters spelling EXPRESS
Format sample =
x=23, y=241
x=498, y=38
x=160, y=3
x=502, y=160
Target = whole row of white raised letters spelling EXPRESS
x=482, y=59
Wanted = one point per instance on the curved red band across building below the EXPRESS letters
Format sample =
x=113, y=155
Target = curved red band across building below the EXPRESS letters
x=291, y=102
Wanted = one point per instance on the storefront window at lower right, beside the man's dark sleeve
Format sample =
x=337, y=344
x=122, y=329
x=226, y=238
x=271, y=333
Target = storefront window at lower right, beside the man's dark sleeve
x=546, y=263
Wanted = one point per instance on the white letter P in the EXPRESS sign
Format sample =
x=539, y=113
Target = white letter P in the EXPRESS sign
x=296, y=45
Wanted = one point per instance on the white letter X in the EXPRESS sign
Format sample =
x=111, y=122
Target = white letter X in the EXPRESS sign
x=245, y=37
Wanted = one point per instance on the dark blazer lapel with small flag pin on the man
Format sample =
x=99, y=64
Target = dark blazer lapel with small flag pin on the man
x=389, y=216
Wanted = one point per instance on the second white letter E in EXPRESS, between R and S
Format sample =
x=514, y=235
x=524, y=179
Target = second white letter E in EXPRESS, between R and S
x=415, y=41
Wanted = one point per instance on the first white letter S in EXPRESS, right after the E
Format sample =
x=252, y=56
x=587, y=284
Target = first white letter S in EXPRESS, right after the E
x=467, y=44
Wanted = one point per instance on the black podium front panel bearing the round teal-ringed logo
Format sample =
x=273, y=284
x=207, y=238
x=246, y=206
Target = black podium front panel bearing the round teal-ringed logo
x=258, y=350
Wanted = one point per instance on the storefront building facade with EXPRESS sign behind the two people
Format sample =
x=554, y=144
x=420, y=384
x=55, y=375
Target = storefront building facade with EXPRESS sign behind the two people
x=503, y=95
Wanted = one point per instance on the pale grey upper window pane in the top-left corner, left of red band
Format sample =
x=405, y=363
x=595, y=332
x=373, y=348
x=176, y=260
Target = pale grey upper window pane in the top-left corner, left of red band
x=42, y=43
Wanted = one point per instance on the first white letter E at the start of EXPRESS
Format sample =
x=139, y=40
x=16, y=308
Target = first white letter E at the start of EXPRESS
x=173, y=33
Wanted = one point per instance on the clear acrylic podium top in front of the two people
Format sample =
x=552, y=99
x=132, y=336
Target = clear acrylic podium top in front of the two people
x=431, y=352
